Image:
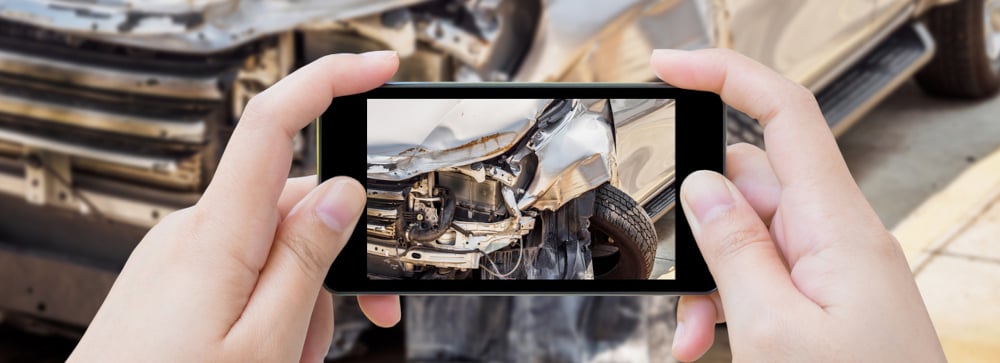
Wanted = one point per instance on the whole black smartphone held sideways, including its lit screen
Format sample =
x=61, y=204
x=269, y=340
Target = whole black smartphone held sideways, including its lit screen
x=521, y=188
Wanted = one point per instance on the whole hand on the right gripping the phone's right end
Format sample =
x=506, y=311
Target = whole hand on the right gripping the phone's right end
x=806, y=271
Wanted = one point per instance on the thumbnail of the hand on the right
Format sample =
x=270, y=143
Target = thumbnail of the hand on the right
x=706, y=194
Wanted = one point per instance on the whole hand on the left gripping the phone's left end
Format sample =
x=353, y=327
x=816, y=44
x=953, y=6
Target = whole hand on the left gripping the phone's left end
x=238, y=277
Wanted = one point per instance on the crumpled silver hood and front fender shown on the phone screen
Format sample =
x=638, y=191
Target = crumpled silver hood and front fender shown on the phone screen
x=409, y=137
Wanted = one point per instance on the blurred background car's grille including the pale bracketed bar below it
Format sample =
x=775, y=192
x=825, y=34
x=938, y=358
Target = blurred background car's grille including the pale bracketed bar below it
x=144, y=125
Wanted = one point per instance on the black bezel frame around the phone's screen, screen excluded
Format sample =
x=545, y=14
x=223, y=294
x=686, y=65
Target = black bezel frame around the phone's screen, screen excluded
x=700, y=144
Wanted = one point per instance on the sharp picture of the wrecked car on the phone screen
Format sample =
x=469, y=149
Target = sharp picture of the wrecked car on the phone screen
x=519, y=189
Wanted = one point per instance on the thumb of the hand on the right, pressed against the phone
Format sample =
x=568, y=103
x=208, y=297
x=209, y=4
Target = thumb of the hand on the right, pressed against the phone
x=736, y=246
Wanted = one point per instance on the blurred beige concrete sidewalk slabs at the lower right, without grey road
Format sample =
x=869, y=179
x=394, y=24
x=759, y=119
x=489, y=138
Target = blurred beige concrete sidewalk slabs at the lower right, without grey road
x=951, y=242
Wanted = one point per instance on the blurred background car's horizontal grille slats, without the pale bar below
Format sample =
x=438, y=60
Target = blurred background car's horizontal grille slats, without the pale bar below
x=144, y=117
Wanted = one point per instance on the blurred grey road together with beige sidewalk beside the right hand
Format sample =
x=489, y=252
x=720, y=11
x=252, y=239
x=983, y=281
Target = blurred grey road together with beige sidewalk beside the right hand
x=931, y=169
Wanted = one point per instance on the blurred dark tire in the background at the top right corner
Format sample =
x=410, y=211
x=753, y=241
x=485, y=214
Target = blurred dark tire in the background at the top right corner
x=960, y=67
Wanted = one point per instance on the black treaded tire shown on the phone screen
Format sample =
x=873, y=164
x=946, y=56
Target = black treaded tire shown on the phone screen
x=617, y=215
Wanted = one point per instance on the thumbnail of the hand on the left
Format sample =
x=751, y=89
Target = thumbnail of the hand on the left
x=341, y=205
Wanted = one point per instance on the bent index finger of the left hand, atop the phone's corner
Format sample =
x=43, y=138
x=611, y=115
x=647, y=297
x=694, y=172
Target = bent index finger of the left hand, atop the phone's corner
x=253, y=169
